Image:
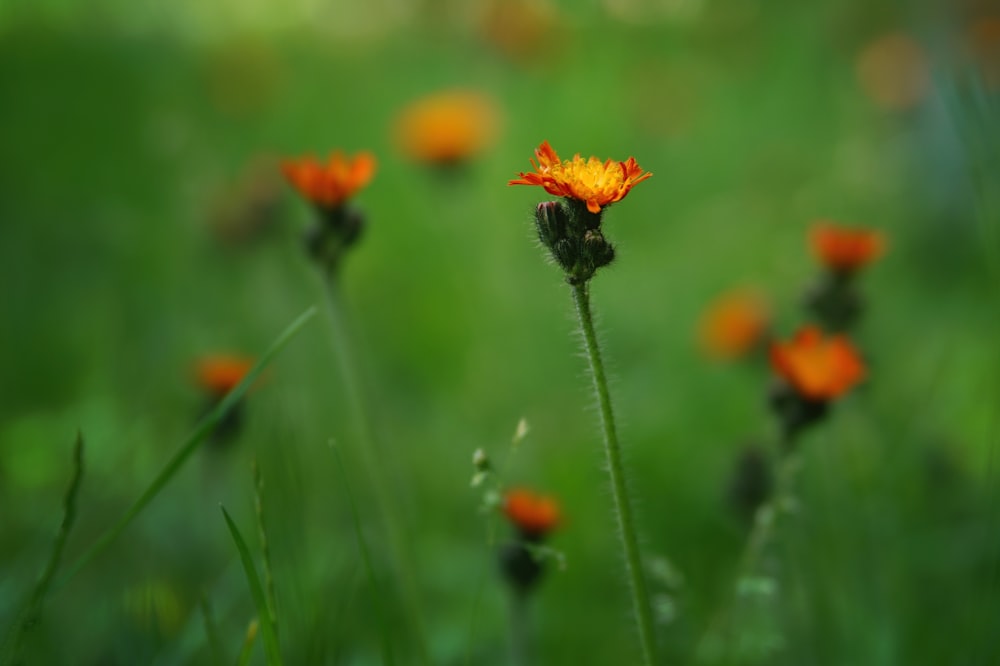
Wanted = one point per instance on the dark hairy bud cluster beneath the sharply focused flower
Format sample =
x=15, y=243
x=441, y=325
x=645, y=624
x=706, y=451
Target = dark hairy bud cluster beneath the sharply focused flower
x=573, y=236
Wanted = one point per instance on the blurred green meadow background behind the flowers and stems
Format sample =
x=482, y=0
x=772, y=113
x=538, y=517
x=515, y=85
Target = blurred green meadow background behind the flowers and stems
x=136, y=137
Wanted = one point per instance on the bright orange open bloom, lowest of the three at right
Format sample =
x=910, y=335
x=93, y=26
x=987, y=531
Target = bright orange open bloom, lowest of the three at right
x=819, y=369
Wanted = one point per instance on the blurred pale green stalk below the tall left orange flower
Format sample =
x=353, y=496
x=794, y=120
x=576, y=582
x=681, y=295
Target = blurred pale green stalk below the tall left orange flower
x=372, y=461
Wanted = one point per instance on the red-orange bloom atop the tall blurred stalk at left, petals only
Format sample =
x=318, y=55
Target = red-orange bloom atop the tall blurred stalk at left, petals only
x=331, y=185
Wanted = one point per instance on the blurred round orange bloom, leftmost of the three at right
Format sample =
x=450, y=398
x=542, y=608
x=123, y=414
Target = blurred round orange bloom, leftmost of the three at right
x=734, y=324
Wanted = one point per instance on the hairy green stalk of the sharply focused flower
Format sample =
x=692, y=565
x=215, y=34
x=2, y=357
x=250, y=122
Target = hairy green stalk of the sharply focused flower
x=619, y=486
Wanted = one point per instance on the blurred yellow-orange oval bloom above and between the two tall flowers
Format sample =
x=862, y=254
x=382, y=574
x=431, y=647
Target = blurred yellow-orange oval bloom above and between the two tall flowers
x=448, y=127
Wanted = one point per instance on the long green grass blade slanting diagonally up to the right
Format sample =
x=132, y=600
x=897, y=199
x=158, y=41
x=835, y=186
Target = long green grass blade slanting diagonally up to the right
x=201, y=432
